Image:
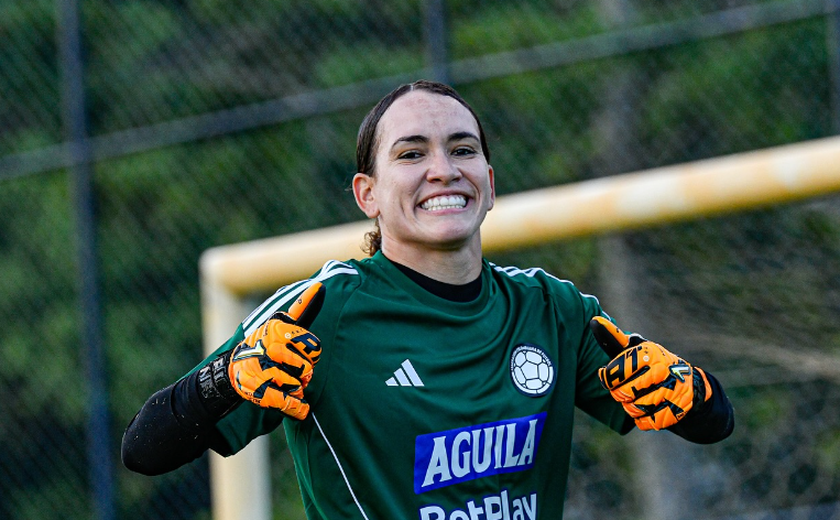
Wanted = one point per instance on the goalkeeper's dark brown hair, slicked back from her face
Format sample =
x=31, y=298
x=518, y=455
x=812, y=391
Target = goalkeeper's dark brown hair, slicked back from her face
x=367, y=140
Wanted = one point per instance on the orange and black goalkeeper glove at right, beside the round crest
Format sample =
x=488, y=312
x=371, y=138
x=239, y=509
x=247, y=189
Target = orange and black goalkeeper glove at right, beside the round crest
x=655, y=387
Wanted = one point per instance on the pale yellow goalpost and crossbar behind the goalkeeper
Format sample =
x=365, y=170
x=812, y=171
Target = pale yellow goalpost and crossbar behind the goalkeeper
x=229, y=274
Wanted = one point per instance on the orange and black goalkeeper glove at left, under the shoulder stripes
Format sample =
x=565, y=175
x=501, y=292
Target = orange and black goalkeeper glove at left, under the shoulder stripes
x=273, y=365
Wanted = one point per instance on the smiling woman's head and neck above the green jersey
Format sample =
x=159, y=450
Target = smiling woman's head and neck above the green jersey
x=431, y=185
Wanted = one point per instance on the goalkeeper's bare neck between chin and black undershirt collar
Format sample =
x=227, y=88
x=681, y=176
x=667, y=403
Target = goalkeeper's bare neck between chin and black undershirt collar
x=454, y=266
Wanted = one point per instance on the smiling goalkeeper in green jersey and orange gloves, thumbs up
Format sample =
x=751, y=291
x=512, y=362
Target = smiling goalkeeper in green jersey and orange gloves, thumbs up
x=425, y=381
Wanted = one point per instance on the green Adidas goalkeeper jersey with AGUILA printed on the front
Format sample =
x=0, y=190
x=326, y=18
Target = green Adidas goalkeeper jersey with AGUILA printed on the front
x=431, y=409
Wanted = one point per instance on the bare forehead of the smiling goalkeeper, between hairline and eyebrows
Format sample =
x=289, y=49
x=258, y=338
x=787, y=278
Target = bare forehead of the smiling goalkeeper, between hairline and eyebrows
x=425, y=113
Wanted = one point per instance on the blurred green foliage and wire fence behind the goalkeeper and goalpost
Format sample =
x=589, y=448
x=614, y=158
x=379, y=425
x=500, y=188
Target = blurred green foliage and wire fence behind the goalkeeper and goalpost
x=135, y=134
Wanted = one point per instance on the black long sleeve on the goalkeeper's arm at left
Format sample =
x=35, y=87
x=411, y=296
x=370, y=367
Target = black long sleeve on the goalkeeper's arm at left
x=175, y=426
